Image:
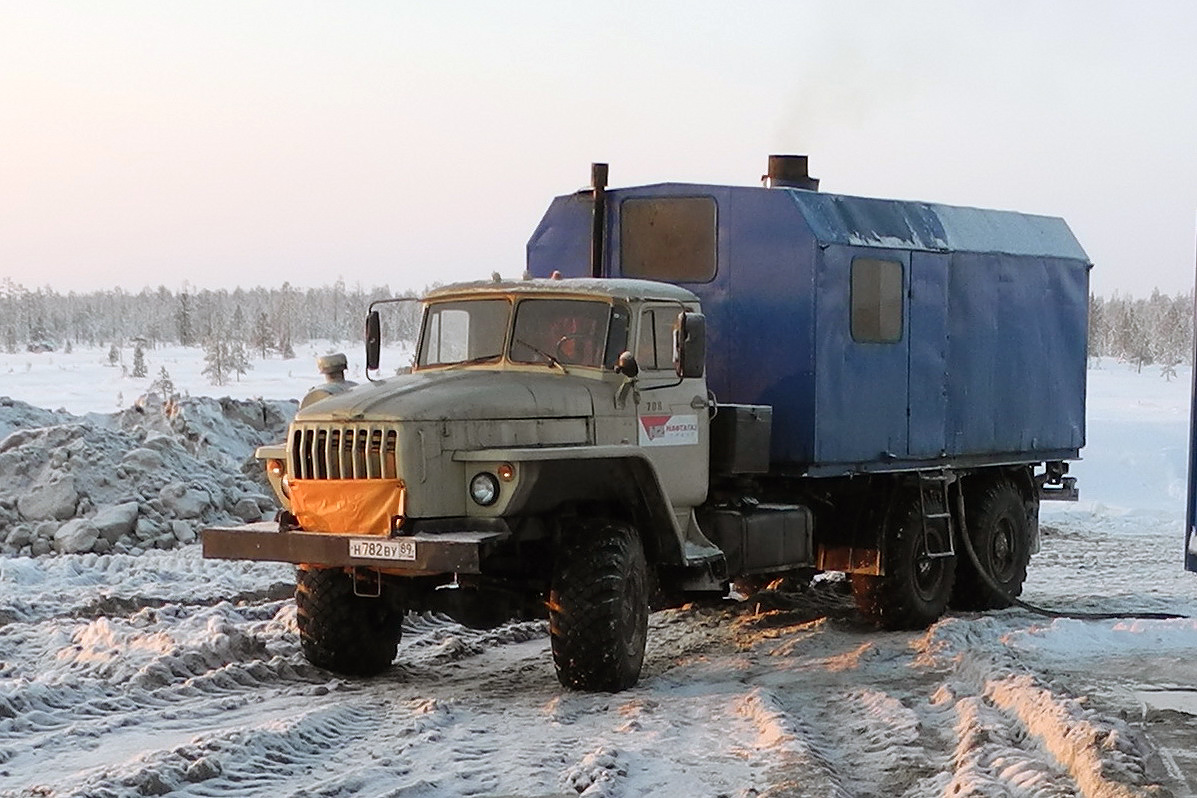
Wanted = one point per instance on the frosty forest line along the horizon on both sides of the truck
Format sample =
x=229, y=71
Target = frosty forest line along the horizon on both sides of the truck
x=260, y=322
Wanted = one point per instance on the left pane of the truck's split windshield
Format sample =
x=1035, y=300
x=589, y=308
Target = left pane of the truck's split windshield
x=467, y=331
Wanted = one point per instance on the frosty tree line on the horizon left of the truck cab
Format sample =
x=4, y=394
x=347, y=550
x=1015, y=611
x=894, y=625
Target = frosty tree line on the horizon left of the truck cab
x=262, y=321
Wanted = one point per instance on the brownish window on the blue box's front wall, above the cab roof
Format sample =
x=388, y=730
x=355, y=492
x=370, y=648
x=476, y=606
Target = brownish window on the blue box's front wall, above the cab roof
x=669, y=239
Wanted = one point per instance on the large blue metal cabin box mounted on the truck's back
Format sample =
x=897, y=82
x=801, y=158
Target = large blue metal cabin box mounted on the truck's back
x=885, y=334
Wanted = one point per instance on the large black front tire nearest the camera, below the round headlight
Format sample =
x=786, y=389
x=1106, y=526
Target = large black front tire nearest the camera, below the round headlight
x=599, y=608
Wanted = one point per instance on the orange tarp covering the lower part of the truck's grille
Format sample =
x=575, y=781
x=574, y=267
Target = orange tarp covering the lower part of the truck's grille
x=348, y=507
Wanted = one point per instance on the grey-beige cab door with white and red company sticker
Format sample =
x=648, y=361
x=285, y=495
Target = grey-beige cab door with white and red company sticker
x=673, y=425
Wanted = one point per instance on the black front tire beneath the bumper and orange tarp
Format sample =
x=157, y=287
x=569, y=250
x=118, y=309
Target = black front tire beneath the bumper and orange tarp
x=343, y=632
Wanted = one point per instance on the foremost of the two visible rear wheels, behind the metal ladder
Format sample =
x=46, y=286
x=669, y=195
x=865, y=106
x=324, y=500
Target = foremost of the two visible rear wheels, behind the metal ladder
x=915, y=590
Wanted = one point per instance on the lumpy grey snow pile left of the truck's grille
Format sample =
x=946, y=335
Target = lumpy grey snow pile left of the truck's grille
x=145, y=478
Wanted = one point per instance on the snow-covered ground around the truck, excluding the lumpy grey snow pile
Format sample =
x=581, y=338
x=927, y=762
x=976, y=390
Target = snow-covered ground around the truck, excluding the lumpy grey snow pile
x=163, y=674
